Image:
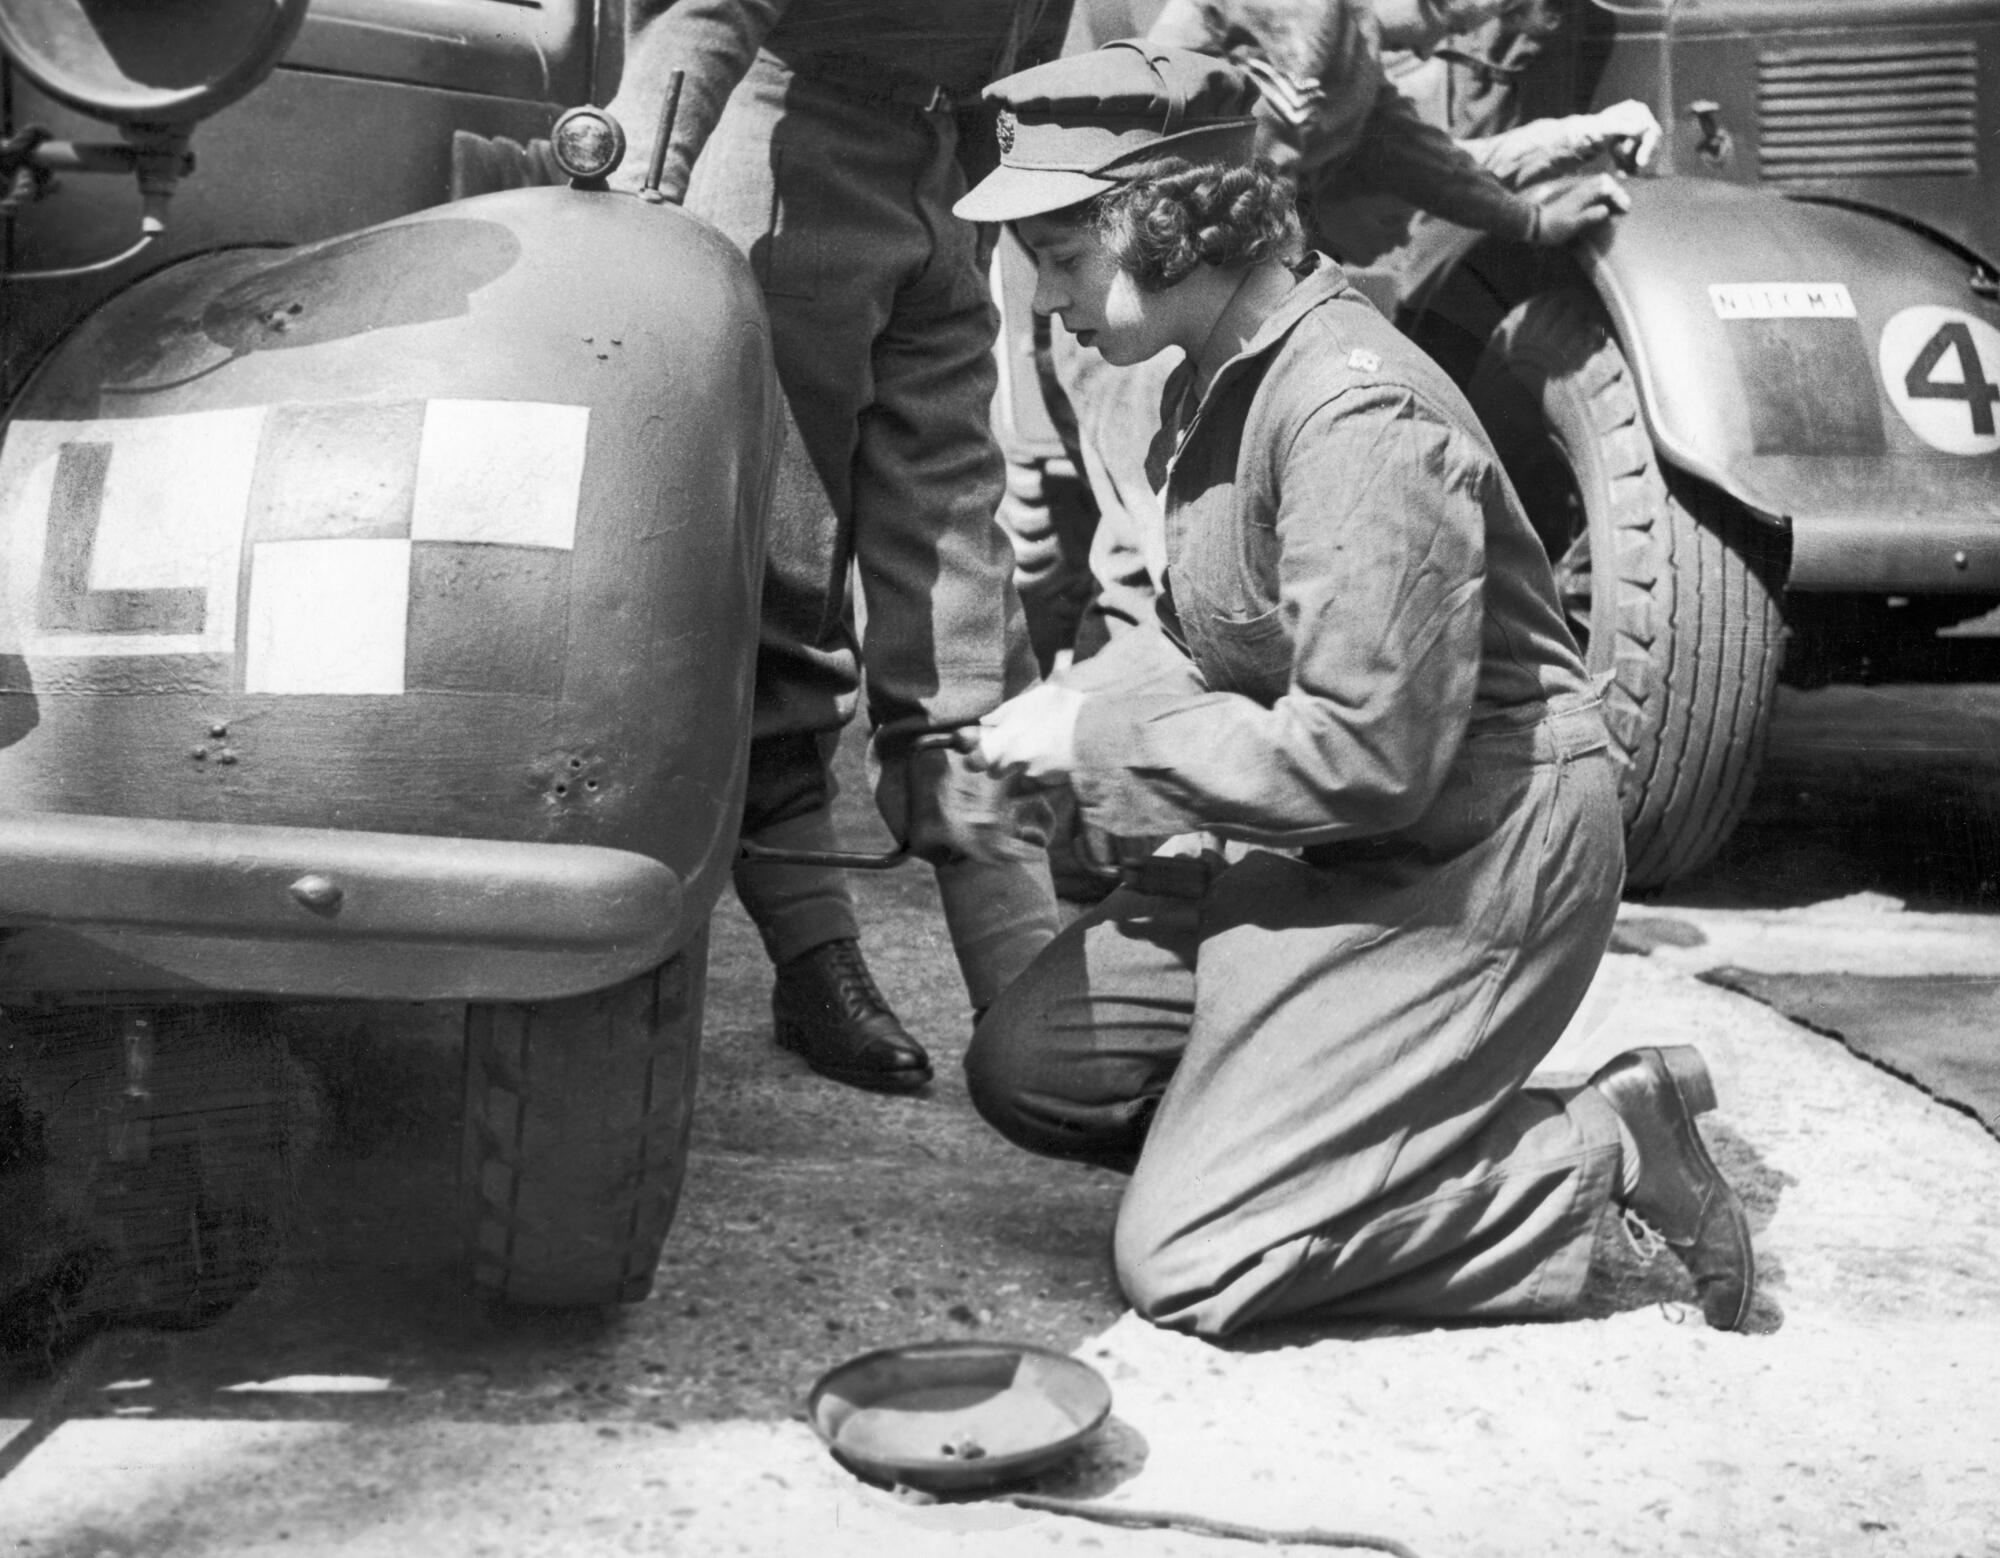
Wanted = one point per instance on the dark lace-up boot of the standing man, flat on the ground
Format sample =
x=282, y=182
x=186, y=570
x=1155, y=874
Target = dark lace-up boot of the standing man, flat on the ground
x=827, y=1007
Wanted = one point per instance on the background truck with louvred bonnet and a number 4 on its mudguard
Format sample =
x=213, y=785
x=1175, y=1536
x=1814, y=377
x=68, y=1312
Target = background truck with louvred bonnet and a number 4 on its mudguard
x=1755, y=419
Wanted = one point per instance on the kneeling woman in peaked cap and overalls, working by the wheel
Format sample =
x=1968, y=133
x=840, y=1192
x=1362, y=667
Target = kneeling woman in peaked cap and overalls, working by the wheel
x=1317, y=1067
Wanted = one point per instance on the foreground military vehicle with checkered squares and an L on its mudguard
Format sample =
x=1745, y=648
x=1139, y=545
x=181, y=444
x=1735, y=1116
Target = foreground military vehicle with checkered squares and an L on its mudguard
x=381, y=531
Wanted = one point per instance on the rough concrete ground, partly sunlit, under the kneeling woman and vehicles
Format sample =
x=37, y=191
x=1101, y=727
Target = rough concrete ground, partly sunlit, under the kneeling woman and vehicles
x=1861, y=1415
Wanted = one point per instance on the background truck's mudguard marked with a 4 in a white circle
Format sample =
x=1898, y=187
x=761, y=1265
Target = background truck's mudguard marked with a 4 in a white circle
x=1831, y=369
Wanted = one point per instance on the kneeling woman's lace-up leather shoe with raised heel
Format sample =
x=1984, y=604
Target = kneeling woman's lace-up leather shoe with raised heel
x=1679, y=1191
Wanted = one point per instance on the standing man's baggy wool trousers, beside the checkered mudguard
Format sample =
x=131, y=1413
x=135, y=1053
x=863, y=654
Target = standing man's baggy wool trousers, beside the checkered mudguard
x=883, y=331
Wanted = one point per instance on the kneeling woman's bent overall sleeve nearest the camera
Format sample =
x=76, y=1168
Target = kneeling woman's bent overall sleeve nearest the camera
x=1381, y=571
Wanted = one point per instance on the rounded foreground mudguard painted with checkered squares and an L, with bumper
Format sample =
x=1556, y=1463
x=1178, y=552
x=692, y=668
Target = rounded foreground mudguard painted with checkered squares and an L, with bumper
x=449, y=529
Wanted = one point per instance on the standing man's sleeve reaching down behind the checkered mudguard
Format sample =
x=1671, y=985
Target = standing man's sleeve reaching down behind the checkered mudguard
x=713, y=43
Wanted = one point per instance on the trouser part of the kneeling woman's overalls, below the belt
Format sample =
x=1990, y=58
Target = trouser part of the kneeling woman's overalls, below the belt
x=1319, y=1069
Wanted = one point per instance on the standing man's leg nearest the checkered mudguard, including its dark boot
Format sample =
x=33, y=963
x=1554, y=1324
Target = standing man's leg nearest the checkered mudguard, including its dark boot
x=765, y=179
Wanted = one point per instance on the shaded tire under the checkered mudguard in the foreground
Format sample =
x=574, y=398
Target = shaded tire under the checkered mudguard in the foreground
x=577, y=1123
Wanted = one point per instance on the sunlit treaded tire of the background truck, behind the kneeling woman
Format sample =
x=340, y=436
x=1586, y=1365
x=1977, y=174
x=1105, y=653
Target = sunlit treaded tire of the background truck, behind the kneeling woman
x=1689, y=637
